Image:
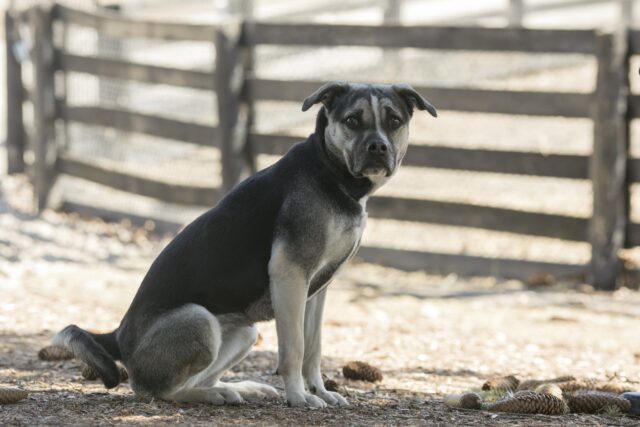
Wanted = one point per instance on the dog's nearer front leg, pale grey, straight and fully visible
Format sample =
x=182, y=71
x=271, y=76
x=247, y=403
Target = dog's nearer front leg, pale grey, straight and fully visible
x=289, y=288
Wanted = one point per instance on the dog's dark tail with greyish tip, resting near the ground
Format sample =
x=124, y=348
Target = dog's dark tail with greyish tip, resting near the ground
x=99, y=351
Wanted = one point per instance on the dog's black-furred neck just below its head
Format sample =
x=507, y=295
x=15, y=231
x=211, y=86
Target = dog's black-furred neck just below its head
x=357, y=188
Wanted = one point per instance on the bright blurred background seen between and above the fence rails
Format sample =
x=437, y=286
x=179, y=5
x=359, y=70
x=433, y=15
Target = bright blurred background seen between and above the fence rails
x=158, y=158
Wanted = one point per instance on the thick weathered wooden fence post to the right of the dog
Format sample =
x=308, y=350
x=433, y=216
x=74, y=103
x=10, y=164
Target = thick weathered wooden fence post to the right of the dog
x=607, y=228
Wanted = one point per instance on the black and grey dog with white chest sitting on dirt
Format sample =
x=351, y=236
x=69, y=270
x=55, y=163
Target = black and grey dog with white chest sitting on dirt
x=267, y=250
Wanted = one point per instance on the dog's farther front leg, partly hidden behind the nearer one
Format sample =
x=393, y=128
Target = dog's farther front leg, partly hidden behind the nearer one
x=313, y=353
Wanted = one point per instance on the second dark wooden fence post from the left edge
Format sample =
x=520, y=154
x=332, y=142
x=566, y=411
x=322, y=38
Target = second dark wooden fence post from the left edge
x=43, y=104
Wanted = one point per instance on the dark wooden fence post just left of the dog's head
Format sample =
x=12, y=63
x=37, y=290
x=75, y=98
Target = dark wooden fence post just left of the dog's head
x=233, y=112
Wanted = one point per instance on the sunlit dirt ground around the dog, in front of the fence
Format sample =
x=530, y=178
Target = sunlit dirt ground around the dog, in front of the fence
x=429, y=335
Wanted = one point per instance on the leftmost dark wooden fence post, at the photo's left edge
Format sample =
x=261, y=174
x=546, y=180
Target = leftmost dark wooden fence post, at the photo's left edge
x=15, y=98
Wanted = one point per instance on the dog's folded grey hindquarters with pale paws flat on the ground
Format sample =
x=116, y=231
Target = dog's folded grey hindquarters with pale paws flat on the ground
x=182, y=356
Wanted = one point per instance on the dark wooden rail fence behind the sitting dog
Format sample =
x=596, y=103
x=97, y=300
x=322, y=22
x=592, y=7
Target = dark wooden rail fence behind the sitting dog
x=238, y=90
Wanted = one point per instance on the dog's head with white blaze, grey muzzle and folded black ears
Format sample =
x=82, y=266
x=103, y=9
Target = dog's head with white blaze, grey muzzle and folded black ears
x=368, y=125
